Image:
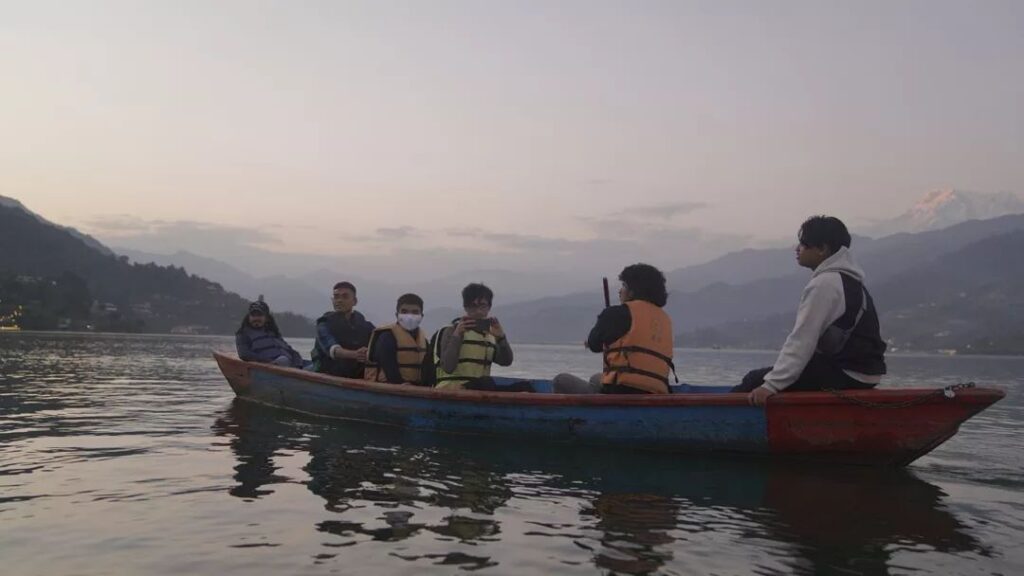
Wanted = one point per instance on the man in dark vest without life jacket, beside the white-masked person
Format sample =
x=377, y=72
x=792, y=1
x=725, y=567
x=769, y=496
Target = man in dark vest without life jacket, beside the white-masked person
x=343, y=336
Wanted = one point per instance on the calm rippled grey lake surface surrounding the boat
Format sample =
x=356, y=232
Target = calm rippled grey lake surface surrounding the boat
x=130, y=456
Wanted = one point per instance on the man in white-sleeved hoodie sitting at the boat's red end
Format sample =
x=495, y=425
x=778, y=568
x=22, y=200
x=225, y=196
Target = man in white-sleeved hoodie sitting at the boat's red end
x=836, y=342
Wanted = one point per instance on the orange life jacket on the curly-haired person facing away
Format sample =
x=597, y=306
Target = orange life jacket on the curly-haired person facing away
x=642, y=359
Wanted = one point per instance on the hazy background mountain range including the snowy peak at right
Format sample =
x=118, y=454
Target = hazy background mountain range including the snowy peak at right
x=952, y=289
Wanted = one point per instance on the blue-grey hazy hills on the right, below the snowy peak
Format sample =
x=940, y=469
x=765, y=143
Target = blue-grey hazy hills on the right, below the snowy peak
x=745, y=312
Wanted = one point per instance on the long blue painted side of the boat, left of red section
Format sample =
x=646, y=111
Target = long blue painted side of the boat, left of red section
x=672, y=428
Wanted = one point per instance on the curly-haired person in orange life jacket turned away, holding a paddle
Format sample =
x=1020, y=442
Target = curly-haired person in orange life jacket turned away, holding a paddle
x=635, y=338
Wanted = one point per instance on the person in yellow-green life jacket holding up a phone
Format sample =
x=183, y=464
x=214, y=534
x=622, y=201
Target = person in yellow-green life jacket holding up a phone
x=464, y=352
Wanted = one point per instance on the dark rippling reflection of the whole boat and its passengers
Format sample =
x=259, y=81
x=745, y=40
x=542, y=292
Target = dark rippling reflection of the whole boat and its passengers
x=639, y=512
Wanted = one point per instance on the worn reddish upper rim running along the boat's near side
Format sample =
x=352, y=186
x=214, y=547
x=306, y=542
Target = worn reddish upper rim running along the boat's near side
x=882, y=398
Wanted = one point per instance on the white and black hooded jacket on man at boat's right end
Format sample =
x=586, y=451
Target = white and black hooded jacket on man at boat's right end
x=822, y=305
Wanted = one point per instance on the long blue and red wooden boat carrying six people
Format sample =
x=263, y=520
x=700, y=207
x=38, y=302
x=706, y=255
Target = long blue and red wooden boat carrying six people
x=890, y=428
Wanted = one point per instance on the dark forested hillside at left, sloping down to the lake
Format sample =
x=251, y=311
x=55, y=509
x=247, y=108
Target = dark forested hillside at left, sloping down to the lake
x=52, y=277
